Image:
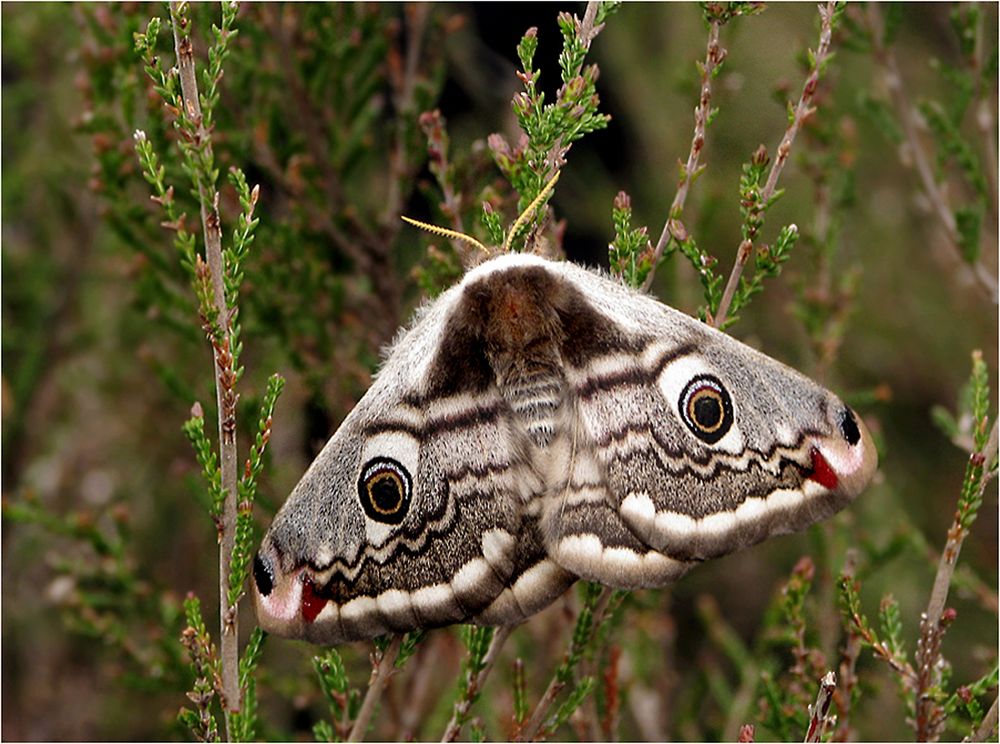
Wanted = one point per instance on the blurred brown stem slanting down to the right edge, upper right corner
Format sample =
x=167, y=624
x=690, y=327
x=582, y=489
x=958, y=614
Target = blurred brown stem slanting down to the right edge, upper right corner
x=936, y=196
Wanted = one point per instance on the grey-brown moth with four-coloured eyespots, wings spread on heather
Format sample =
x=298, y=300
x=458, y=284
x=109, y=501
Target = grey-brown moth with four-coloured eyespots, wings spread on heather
x=539, y=423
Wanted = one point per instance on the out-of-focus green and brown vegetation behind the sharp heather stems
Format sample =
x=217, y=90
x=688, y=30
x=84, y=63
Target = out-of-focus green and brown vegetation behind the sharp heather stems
x=99, y=371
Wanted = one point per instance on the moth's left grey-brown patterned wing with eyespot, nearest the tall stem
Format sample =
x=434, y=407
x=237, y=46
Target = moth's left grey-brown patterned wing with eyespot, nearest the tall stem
x=344, y=561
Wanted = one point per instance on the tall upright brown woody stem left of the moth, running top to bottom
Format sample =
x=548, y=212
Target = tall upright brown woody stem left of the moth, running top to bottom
x=224, y=378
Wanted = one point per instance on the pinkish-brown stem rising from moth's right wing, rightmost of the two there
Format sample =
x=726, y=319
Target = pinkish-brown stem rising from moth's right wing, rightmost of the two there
x=803, y=110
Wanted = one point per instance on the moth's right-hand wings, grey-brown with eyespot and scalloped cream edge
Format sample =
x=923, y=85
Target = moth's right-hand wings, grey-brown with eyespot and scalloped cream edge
x=784, y=452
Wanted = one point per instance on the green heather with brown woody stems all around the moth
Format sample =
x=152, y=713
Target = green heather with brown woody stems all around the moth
x=329, y=122
